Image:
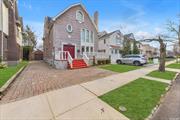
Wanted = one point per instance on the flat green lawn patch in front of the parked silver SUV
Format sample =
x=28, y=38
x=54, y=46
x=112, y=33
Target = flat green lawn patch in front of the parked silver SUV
x=120, y=68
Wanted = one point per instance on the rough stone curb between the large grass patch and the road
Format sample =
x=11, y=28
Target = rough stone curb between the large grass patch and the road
x=155, y=109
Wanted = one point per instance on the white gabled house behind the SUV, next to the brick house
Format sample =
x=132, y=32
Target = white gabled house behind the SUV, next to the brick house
x=110, y=43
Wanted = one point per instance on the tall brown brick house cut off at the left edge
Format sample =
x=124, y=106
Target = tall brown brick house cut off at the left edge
x=10, y=32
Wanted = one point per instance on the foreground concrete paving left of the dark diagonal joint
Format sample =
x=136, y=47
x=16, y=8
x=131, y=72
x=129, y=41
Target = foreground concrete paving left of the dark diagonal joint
x=68, y=103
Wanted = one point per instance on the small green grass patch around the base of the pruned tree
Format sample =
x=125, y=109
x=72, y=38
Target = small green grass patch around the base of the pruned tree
x=168, y=75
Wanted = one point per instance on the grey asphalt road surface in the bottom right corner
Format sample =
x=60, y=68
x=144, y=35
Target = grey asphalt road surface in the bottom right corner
x=170, y=108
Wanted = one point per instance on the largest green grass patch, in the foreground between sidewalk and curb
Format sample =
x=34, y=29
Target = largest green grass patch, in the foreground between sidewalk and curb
x=139, y=97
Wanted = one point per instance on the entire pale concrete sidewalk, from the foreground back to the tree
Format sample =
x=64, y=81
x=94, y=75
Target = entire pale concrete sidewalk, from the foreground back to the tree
x=75, y=102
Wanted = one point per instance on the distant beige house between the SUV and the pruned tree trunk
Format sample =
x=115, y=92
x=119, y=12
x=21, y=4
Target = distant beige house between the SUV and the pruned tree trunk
x=148, y=50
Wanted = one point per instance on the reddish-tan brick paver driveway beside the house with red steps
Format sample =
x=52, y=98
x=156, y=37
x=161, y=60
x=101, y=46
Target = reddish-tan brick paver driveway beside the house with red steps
x=38, y=77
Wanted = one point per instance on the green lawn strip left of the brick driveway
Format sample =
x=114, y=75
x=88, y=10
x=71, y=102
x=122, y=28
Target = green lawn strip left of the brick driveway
x=7, y=73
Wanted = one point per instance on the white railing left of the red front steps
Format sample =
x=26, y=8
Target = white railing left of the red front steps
x=64, y=55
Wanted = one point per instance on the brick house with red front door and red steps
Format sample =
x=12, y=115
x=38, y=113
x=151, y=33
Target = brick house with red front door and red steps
x=68, y=36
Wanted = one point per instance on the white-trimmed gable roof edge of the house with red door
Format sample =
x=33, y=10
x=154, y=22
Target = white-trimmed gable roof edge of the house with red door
x=74, y=5
